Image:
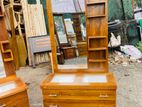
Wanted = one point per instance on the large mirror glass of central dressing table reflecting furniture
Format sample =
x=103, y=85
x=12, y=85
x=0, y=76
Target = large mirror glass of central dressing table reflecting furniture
x=70, y=29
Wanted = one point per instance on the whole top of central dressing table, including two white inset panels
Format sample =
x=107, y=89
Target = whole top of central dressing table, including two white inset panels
x=79, y=81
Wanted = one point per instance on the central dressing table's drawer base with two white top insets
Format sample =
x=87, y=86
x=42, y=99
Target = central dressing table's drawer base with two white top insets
x=83, y=89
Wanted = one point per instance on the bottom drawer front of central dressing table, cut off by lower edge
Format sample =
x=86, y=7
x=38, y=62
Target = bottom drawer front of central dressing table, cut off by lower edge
x=79, y=105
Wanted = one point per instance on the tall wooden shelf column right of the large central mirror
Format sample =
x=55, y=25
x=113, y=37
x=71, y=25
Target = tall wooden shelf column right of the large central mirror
x=97, y=34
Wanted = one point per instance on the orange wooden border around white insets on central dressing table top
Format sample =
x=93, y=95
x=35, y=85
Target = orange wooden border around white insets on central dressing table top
x=78, y=83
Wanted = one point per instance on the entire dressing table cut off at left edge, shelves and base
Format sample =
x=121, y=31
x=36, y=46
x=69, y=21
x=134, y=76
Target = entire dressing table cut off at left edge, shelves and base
x=13, y=91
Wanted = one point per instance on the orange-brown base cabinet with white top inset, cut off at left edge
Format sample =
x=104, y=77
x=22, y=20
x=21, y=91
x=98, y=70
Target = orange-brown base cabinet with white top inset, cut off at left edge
x=13, y=93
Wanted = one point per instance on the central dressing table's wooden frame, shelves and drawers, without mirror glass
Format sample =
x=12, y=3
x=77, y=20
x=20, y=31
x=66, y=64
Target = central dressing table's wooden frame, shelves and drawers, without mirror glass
x=92, y=87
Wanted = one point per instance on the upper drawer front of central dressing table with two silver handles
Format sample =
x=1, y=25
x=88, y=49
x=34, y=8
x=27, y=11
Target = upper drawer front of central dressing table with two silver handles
x=82, y=95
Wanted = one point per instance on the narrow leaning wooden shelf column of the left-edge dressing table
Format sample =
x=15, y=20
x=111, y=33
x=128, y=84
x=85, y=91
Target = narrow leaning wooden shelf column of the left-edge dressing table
x=5, y=47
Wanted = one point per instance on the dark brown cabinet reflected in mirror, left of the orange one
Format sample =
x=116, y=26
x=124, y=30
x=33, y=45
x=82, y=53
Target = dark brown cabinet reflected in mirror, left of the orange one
x=69, y=52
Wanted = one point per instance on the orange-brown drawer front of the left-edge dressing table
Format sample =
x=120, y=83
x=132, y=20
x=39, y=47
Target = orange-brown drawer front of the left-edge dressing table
x=17, y=100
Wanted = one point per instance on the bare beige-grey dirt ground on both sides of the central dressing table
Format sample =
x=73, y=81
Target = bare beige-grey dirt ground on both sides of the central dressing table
x=129, y=80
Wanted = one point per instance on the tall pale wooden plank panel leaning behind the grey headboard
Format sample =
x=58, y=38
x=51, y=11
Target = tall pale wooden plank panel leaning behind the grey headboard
x=34, y=22
